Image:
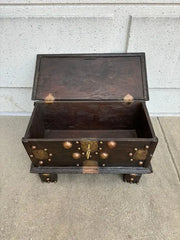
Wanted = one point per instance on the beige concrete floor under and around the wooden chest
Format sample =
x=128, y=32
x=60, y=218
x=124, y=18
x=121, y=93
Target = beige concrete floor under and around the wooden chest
x=89, y=207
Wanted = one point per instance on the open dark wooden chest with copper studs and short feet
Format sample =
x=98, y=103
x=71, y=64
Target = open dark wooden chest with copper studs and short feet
x=90, y=116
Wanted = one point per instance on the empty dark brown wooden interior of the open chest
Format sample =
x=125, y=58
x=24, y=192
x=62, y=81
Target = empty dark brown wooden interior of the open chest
x=72, y=120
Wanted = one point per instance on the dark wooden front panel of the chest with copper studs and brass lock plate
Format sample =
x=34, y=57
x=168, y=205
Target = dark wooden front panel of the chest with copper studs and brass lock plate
x=84, y=153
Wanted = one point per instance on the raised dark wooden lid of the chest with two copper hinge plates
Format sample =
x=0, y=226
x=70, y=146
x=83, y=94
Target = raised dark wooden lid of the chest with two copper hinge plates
x=93, y=77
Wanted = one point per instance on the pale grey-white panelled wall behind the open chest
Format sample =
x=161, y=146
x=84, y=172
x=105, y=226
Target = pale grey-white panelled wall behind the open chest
x=80, y=26
